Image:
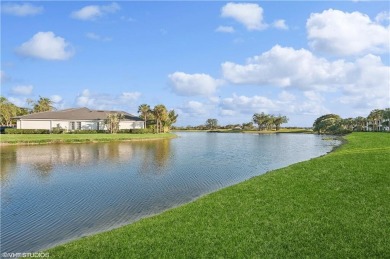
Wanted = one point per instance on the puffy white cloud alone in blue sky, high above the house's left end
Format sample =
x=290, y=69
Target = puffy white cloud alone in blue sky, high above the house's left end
x=46, y=45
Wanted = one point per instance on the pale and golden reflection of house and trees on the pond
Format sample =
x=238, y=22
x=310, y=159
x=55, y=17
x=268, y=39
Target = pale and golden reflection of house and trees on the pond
x=43, y=160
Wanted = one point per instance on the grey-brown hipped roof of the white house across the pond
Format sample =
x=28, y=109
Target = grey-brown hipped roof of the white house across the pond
x=76, y=114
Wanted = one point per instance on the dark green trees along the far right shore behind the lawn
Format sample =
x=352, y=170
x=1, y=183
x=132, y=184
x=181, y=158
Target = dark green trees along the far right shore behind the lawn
x=377, y=120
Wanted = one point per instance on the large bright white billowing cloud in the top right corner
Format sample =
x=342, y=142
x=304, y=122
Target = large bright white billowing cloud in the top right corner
x=341, y=33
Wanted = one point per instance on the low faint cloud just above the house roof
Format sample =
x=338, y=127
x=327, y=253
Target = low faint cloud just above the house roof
x=105, y=101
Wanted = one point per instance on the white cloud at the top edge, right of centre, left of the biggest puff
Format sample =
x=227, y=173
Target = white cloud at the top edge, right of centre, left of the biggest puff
x=250, y=15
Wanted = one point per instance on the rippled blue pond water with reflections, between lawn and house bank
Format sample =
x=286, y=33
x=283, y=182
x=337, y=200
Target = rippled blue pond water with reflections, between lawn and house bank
x=51, y=194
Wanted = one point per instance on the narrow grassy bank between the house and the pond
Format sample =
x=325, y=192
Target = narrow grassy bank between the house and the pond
x=75, y=138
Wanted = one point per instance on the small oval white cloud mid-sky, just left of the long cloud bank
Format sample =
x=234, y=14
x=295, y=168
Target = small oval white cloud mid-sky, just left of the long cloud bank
x=193, y=84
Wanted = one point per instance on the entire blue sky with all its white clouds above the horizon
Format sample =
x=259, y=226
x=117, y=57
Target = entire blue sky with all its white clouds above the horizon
x=223, y=60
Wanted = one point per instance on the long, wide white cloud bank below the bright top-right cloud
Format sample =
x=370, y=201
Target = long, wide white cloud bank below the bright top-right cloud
x=363, y=83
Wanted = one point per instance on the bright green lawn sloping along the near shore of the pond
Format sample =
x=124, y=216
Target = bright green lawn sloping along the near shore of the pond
x=335, y=206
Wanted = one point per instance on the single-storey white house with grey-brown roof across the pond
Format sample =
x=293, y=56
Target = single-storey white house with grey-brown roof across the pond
x=75, y=119
